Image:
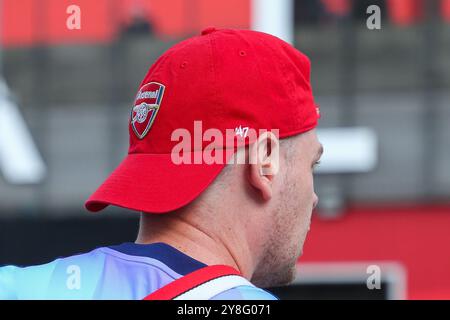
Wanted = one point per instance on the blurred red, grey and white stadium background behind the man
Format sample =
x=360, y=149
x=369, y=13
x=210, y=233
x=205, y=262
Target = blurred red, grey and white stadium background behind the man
x=384, y=183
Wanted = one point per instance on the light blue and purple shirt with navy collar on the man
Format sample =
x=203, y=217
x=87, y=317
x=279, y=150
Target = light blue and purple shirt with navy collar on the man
x=126, y=271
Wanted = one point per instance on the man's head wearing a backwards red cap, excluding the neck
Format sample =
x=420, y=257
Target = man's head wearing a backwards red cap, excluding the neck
x=192, y=98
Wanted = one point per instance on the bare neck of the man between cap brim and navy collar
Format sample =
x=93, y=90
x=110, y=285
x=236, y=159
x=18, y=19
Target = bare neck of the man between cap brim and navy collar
x=225, y=247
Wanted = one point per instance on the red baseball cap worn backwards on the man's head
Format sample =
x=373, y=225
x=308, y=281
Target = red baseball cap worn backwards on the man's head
x=227, y=79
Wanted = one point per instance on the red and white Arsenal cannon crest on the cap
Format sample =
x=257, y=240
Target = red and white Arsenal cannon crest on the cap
x=145, y=109
